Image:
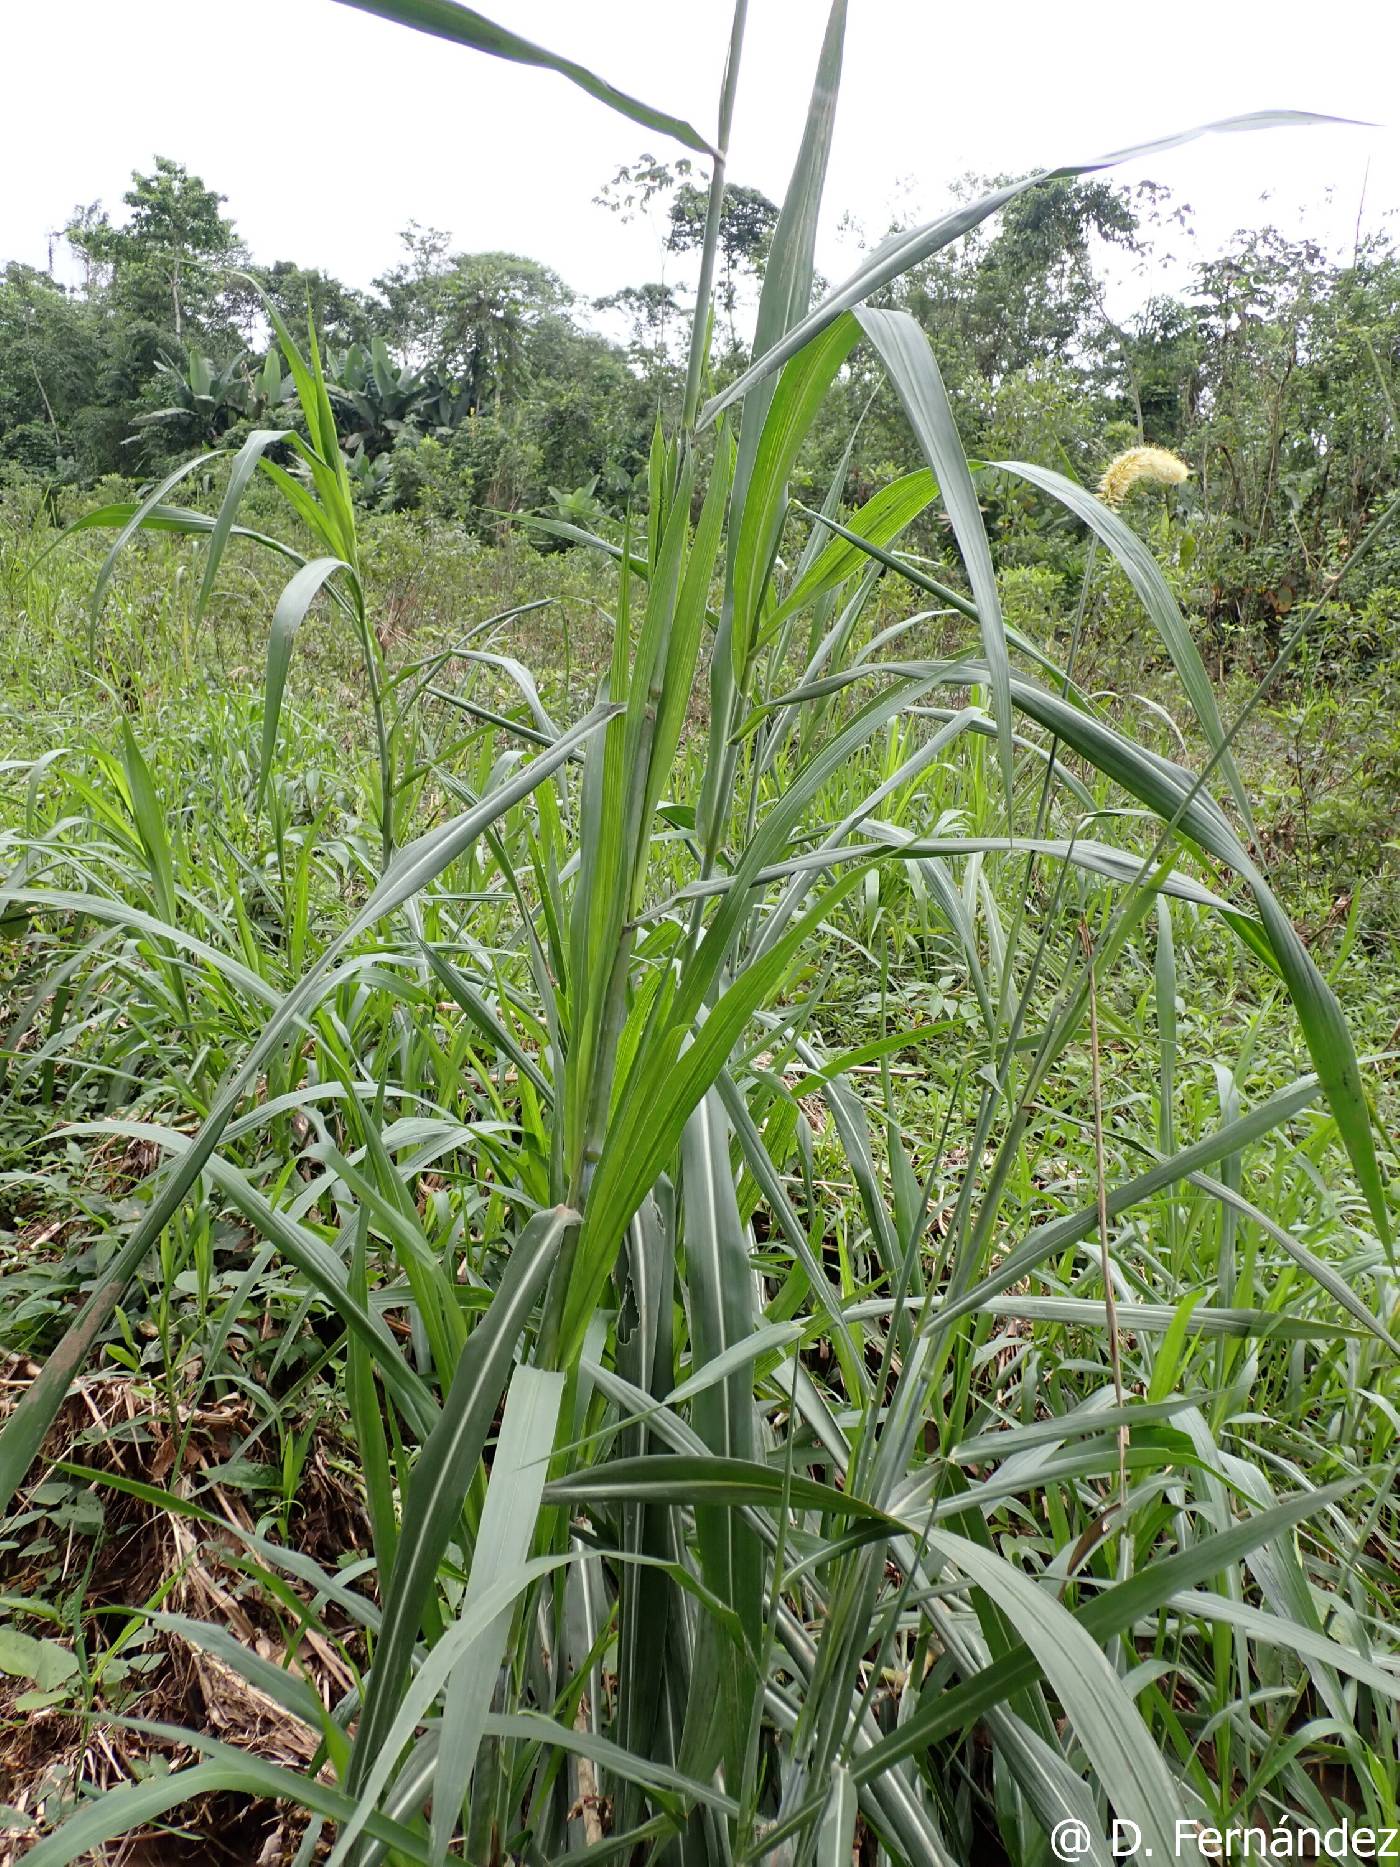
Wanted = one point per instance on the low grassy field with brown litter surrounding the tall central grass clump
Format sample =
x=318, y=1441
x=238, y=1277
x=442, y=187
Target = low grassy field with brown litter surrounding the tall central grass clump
x=217, y=1427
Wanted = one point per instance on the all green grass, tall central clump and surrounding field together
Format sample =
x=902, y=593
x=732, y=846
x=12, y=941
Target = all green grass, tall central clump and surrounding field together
x=749, y=1239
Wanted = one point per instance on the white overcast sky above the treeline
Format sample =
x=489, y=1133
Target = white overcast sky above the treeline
x=329, y=130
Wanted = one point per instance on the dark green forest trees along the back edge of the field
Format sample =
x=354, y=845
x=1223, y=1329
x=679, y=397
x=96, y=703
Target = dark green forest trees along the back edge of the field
x=477, y=386
